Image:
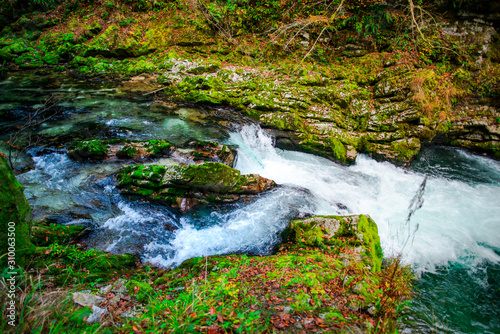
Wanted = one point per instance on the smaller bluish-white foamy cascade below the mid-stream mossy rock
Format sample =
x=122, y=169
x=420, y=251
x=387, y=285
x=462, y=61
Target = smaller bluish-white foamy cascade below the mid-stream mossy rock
x=251, y=228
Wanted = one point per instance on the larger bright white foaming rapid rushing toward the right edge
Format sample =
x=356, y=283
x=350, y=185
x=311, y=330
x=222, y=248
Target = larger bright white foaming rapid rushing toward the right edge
x=457, y=222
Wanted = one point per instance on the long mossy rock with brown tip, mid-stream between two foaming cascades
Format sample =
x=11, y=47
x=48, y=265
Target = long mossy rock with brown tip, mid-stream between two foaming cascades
x=186, y=186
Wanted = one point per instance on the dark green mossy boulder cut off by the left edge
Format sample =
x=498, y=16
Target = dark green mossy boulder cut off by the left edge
x=15, y=219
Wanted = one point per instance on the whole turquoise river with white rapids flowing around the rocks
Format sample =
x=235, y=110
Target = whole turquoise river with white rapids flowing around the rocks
x=451, y=239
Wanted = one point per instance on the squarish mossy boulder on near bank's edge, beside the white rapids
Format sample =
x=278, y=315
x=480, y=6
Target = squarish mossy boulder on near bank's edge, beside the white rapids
x=358, y=233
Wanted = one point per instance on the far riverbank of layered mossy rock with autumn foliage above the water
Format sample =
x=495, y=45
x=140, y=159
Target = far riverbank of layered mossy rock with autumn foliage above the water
x=331, y=95
